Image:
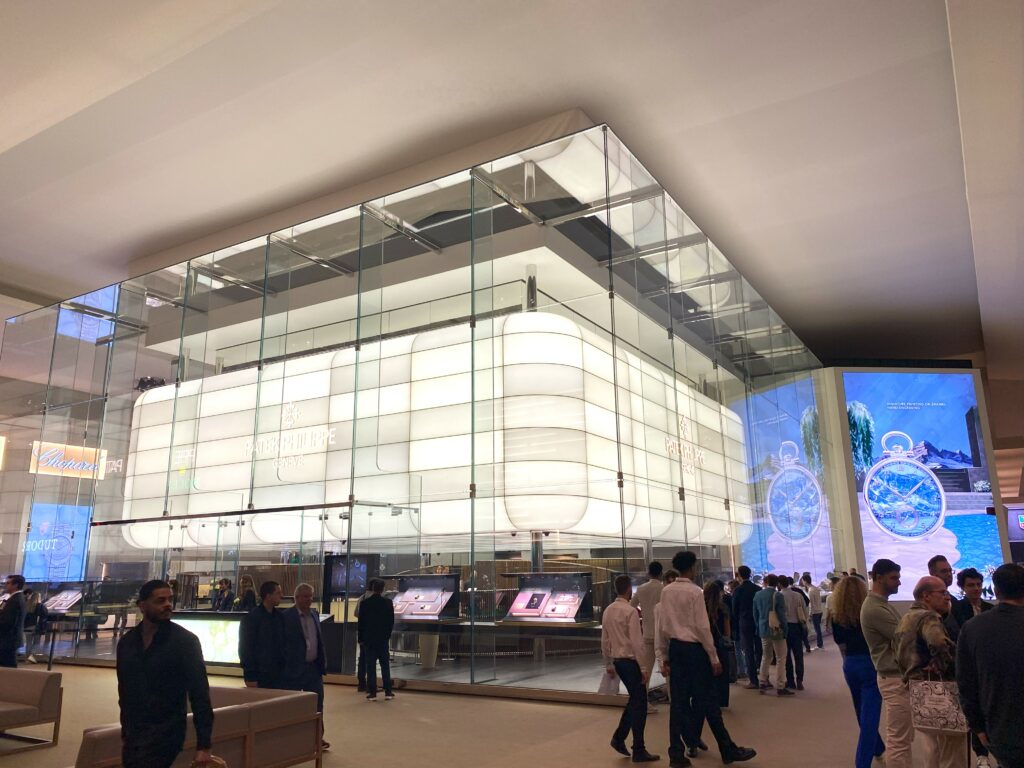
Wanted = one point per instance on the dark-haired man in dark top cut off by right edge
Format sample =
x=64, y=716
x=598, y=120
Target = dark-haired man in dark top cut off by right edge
x=991, y=670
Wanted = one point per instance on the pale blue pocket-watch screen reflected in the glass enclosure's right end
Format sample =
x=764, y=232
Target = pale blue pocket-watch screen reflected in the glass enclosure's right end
x=792, y=530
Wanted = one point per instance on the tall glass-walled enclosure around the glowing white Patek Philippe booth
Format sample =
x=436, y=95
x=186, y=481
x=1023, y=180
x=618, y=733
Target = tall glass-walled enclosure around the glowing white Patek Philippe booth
x=496, y=391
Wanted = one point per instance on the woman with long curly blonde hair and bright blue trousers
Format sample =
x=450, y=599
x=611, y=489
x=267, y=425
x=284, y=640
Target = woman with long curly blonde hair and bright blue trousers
x=858, y=667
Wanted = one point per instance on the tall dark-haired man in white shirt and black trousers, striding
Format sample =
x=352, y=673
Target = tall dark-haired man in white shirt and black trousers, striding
x=687, y=650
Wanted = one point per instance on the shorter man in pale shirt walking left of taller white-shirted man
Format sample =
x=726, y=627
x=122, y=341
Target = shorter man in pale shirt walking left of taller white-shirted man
x=622, y=647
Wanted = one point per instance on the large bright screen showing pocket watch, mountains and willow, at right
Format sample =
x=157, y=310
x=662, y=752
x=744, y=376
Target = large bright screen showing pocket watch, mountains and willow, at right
x=921, y=471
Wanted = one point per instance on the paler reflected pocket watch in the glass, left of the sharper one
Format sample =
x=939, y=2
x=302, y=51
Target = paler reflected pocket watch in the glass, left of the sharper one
x=795, y=498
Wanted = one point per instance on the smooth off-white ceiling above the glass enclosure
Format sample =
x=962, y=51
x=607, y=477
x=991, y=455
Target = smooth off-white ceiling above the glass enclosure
x=819, y=143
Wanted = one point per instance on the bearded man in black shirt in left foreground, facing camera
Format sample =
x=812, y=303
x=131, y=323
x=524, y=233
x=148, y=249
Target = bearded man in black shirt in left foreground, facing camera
x=160, y=665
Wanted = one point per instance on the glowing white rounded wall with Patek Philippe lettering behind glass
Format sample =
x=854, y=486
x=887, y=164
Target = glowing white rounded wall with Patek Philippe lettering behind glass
x=400, y=419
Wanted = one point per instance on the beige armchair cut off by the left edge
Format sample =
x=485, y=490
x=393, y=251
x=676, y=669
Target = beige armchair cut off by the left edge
x=29, y=698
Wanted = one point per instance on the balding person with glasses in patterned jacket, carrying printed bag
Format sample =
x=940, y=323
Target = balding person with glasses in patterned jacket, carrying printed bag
x=925, y=654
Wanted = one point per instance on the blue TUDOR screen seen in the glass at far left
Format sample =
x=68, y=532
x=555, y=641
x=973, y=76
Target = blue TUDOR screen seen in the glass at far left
x=55, y=550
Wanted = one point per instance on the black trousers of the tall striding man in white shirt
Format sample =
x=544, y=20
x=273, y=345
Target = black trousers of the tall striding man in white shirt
x=694, y=701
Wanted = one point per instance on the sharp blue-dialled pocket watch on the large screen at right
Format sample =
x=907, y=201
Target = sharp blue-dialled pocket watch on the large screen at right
x=905, y=497
